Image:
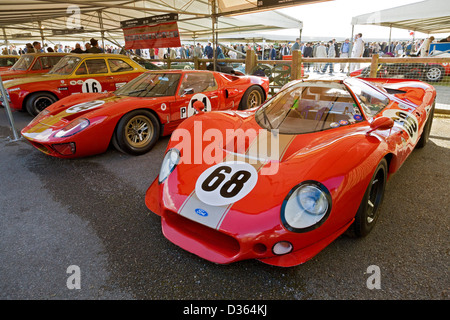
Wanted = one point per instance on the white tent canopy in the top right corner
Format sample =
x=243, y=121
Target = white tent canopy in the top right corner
x=430, y=16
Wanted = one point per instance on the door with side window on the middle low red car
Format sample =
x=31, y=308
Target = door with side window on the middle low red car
x=195, y=86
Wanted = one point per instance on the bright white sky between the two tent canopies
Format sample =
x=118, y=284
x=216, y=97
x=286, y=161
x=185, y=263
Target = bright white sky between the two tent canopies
x=333, y=19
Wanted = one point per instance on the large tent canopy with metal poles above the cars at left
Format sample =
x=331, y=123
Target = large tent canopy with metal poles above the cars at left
x=37, y=19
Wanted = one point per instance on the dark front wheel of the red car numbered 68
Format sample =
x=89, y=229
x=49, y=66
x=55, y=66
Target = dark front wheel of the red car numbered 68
x=368, y=211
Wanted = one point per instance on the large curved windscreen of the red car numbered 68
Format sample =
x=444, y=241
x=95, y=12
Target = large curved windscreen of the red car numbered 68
x=309, y=107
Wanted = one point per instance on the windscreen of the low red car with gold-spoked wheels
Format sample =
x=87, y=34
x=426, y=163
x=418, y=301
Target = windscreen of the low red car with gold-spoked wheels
x=151, y=85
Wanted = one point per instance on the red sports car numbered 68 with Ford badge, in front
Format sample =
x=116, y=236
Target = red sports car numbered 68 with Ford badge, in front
x=280, y=182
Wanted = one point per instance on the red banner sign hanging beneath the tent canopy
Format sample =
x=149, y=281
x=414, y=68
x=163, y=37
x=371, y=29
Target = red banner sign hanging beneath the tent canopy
x=161, y=35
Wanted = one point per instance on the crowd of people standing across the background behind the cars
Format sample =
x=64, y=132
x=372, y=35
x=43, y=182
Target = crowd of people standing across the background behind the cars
x=277, y=51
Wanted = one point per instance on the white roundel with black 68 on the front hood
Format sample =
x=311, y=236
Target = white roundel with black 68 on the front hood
x=226, y=183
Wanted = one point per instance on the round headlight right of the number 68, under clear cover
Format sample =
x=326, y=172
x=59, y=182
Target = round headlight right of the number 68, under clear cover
x=306, y=207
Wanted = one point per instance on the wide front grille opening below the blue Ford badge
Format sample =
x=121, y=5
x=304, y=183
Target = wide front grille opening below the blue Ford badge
x=212, y=239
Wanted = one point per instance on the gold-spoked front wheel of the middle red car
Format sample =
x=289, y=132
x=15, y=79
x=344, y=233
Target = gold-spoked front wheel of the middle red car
x=137, y=132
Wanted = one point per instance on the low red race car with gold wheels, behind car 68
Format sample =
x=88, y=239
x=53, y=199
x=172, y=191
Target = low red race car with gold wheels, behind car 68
x=136, y=115
